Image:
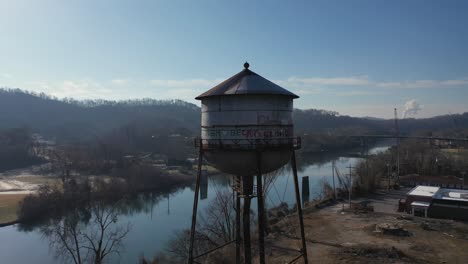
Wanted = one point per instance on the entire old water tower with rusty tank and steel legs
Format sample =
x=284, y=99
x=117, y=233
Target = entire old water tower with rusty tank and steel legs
x=247, y=130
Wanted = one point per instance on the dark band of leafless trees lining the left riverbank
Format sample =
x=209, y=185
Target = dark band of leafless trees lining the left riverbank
x=75, y=192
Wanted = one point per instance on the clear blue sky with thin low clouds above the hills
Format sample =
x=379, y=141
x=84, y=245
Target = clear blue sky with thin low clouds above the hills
x=361, y=58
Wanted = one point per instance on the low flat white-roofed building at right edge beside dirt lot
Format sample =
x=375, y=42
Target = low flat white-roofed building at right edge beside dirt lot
x=436, y=202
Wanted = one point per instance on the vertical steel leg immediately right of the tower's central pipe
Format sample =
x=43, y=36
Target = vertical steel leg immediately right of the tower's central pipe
x=261, y=213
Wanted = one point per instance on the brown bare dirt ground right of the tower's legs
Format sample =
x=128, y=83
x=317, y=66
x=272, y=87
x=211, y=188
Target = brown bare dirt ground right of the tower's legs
x=347, y=237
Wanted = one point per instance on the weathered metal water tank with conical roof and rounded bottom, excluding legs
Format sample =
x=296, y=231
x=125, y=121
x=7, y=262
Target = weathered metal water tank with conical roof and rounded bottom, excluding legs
x=242, y=116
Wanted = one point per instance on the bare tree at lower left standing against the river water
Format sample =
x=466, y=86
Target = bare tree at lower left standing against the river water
x=79, y=241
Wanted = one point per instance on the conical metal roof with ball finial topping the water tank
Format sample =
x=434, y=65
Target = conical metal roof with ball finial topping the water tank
x=246, y=82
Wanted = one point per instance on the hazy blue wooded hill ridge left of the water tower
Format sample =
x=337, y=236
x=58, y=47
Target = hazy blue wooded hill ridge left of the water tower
x=70, y=119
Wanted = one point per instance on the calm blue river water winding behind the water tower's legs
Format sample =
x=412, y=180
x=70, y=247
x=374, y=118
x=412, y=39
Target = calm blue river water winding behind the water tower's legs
x=154, y=220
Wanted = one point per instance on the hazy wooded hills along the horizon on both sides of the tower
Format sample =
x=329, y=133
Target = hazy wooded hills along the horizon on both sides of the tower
x=72, y=120
